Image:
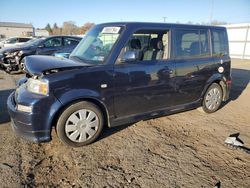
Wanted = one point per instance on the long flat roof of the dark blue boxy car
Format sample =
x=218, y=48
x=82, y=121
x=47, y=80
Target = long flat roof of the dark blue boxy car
x=155, y=24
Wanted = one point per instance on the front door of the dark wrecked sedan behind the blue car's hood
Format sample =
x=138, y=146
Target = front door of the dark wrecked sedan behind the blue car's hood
x=50, y=46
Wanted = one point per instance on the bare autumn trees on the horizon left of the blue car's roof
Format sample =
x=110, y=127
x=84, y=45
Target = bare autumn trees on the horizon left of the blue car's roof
x=68, y=28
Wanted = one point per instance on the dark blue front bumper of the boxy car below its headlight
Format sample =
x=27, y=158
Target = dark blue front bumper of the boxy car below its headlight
x=35, y=126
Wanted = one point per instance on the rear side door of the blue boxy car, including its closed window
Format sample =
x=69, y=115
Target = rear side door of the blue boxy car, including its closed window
x=194, y=63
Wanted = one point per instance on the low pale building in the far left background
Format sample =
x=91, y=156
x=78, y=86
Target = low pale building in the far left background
x=10, y=29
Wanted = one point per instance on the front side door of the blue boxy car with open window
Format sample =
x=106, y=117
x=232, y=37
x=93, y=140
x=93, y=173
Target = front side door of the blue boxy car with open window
x=143, y=85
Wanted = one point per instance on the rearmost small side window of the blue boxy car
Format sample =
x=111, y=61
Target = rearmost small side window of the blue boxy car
x=219, y=42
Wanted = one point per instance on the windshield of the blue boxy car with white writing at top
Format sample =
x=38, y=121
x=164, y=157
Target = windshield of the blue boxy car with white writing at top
x=96, y=46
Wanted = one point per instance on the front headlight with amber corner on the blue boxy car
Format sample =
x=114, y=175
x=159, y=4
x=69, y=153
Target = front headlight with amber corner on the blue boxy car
x=38, y=86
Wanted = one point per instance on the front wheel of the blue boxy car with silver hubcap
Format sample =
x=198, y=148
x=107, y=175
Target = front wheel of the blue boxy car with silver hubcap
x=80, y=124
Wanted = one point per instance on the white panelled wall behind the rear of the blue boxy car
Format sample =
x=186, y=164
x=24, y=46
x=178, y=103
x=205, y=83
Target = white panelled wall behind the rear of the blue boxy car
x=239, y=40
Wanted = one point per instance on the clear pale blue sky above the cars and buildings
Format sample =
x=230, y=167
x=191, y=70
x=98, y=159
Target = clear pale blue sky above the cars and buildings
x=41, y=12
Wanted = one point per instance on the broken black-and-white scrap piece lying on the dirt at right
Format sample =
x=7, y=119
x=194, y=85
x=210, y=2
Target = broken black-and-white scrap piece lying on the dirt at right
x=234, y=141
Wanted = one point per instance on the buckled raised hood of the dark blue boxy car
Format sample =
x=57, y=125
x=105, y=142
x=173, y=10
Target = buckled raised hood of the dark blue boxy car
x=41, y=65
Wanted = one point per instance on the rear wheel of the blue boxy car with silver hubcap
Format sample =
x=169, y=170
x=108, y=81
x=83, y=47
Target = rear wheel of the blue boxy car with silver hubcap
x=212, y=99
